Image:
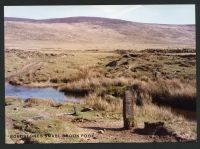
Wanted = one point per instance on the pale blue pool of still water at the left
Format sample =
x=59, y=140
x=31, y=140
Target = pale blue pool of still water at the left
x=47, y=93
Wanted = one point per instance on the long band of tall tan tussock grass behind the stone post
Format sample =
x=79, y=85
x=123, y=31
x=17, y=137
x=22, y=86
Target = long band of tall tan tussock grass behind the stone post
x=173, y=92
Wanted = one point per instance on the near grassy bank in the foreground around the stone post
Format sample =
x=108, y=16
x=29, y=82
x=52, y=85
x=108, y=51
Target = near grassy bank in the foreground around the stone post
x=46, y=119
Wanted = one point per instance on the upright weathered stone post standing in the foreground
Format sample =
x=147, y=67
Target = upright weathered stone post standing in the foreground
x=128, y=114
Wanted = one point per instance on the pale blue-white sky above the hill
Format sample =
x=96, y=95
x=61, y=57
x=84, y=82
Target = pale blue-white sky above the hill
x=162, y=14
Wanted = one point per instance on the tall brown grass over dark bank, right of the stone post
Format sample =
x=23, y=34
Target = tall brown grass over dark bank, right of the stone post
x=169, y=92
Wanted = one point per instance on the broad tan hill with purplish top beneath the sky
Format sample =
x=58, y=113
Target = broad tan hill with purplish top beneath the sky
x=95, y=33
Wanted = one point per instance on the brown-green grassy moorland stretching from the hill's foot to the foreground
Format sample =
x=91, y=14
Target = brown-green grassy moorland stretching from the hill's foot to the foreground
x=161, y=80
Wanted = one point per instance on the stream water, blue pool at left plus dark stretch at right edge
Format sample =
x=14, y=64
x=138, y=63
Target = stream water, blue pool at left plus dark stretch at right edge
x=56, y=95
